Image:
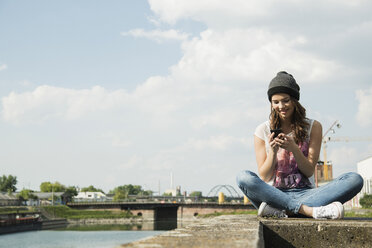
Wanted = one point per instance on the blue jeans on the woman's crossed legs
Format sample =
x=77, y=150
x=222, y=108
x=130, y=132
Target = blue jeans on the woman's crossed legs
x=341, y=189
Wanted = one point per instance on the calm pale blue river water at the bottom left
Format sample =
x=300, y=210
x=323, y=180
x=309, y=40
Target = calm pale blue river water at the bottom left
x=72, y=239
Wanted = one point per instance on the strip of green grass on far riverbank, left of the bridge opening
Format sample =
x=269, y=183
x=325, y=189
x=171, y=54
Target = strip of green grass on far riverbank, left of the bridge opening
x=69, y=213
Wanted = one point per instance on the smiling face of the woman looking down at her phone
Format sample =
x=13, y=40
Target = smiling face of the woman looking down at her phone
x=283, y=105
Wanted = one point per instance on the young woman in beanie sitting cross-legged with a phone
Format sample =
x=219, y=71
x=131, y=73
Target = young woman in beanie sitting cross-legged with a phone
x=287, y=150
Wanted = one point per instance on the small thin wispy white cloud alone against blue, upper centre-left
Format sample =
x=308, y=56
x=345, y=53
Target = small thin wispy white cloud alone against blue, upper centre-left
x=158, y=35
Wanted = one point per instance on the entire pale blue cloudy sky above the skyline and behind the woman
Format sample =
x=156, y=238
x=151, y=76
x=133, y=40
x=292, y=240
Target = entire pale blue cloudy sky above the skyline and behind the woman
x=107, y=93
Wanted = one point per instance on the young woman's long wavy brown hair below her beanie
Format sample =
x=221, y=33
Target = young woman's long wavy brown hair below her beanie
x=299, y=122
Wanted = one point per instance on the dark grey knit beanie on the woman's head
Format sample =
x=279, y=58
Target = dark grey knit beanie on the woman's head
x=284, y=83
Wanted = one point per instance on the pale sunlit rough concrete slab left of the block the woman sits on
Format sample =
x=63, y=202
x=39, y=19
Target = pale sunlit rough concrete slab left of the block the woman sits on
x=223, y=231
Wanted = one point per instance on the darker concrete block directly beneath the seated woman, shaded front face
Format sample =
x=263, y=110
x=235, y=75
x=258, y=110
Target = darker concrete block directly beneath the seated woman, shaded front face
x=293, y=232
